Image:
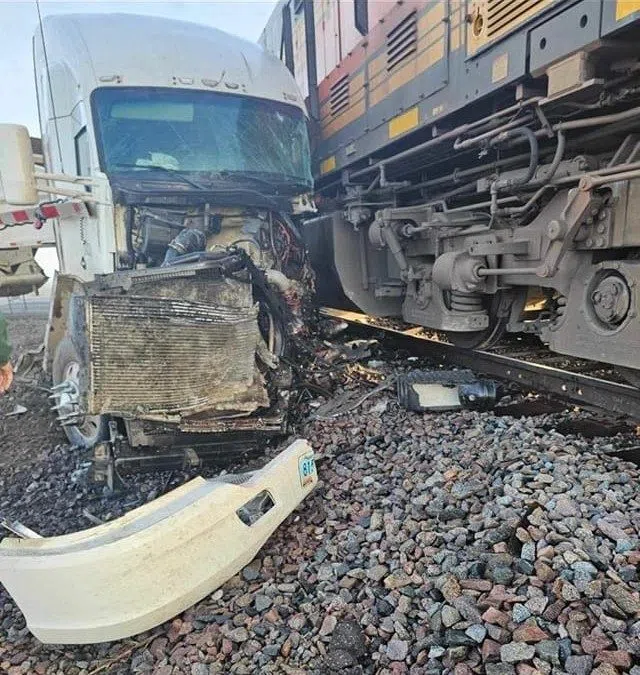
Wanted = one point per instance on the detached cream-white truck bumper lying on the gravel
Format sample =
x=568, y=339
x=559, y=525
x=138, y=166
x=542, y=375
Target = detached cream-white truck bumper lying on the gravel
x=127, y=576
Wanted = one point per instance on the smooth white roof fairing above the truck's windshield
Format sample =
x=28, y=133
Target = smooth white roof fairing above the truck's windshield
x=132, y=50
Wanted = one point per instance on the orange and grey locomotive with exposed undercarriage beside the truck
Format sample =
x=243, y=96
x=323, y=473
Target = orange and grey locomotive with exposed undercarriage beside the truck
x=477, y=164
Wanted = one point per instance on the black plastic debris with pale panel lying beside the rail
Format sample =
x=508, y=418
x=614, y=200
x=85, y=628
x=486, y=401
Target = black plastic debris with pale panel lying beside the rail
x=439, y=390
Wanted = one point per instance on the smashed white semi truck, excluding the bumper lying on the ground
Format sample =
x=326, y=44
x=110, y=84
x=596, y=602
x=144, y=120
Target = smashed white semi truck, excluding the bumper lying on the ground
x=183, y=272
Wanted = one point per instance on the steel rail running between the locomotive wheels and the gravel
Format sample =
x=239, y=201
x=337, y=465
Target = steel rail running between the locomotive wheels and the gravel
x=609, y=395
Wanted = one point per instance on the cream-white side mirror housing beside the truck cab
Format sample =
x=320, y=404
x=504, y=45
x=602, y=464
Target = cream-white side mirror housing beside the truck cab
x=17, y=171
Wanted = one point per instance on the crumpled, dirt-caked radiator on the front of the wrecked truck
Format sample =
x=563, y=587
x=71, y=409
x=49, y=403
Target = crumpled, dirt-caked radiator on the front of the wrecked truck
x=159, y=356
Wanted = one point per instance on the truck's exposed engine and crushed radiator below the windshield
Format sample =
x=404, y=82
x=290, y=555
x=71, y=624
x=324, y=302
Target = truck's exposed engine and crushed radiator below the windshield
x=192, y=339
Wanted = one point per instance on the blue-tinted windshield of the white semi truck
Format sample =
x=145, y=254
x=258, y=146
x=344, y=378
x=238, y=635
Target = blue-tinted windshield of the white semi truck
x=197, y=131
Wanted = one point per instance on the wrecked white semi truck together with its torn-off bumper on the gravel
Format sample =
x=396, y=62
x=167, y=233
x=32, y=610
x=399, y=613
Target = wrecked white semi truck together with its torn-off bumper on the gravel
x=175, y=164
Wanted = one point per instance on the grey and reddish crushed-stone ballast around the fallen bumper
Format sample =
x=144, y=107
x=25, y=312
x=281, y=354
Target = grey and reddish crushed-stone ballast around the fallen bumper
x=439, y=543
